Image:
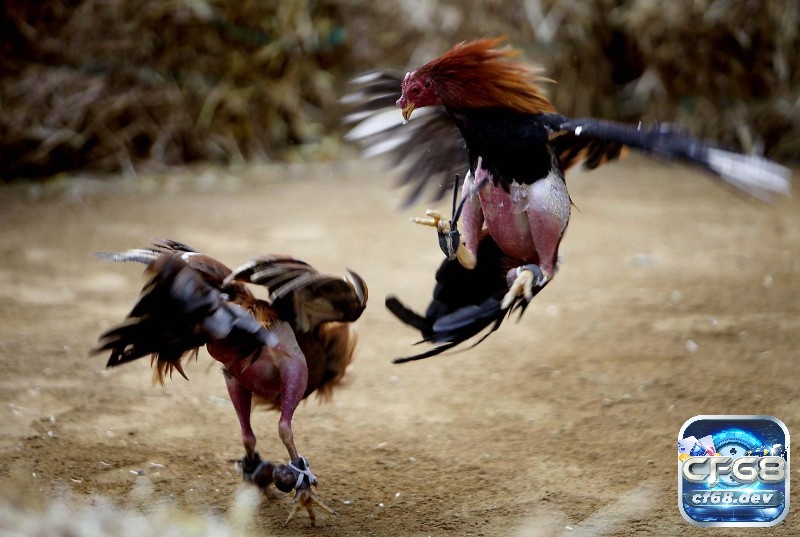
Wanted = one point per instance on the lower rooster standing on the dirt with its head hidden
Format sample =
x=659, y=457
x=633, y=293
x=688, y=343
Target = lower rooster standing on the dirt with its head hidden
x=275, y=352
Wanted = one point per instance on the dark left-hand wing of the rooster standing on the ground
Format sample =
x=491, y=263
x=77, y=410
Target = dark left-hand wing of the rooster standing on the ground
x=178, y=311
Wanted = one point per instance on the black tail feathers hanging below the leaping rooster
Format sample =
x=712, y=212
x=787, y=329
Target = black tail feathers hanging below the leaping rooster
x=464, y=304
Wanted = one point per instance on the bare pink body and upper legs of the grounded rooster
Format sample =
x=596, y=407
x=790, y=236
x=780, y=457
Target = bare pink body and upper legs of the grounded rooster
x=279, y=374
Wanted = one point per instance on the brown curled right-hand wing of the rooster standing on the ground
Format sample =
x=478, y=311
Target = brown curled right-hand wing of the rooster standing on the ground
x=301, y=295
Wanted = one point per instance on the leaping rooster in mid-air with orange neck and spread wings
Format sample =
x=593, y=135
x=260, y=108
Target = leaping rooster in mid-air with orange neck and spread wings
x=483, y=112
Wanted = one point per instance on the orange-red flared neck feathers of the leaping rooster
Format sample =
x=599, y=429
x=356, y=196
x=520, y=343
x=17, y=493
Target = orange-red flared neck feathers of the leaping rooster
x=478, y=74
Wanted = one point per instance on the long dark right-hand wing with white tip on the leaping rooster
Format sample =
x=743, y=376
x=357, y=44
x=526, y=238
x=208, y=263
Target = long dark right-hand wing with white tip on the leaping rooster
x=597, y=141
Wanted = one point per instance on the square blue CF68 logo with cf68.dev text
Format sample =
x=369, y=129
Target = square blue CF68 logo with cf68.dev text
x=733, y=471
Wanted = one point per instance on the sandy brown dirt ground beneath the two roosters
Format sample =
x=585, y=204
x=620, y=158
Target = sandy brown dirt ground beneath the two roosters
x=675, y=298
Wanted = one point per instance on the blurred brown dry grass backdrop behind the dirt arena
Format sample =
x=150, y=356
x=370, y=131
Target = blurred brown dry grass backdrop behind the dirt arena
x=114, y=86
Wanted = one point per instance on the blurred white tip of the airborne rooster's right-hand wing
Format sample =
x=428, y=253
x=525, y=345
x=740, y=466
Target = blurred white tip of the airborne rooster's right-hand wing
x=755, y=175
